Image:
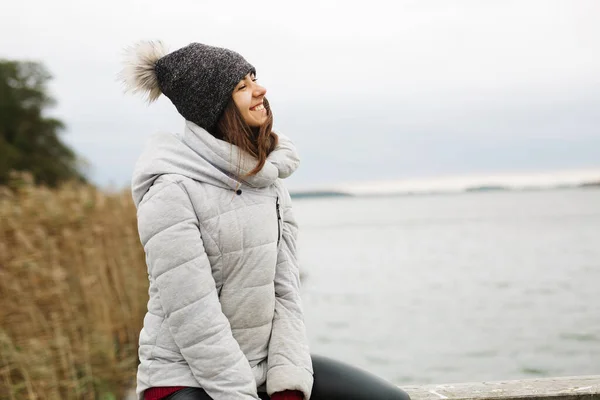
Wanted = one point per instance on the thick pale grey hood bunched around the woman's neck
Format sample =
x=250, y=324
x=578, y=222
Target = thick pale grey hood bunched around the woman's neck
x=200, y=156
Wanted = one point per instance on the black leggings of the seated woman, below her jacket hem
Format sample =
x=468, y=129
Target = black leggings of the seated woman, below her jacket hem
x=333, y=380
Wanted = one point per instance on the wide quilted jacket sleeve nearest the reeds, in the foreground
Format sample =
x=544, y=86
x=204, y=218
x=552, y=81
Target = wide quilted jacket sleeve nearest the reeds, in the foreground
x=177, y=262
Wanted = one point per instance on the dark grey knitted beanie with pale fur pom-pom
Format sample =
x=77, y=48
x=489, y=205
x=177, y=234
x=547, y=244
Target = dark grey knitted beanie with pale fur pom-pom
x=198, y=79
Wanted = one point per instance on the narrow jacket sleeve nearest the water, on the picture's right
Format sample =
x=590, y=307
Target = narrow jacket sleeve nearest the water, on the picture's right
x=289, y=362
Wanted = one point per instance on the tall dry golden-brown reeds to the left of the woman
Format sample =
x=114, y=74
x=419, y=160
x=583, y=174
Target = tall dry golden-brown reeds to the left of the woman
x=73, y=290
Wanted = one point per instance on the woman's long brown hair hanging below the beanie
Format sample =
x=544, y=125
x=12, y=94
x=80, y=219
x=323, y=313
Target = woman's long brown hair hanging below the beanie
x=258, y=142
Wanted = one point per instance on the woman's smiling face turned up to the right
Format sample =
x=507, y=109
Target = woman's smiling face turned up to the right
x=248, y=97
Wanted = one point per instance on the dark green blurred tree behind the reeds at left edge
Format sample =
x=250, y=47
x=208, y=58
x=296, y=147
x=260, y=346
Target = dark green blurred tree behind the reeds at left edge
x=29, y=139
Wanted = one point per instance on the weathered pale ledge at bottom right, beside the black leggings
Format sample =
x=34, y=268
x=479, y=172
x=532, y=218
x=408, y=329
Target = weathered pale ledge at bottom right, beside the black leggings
x=567, y=388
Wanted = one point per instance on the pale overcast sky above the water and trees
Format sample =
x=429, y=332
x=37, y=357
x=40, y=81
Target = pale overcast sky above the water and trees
x=368, y=91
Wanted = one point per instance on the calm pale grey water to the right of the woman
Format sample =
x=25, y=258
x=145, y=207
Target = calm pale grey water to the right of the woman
x=456, y=287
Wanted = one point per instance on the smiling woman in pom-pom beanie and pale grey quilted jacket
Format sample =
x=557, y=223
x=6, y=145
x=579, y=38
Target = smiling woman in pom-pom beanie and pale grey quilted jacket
x=224, y=318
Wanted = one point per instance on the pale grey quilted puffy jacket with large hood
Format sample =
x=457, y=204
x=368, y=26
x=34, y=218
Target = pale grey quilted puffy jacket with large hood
x=224, y=312
